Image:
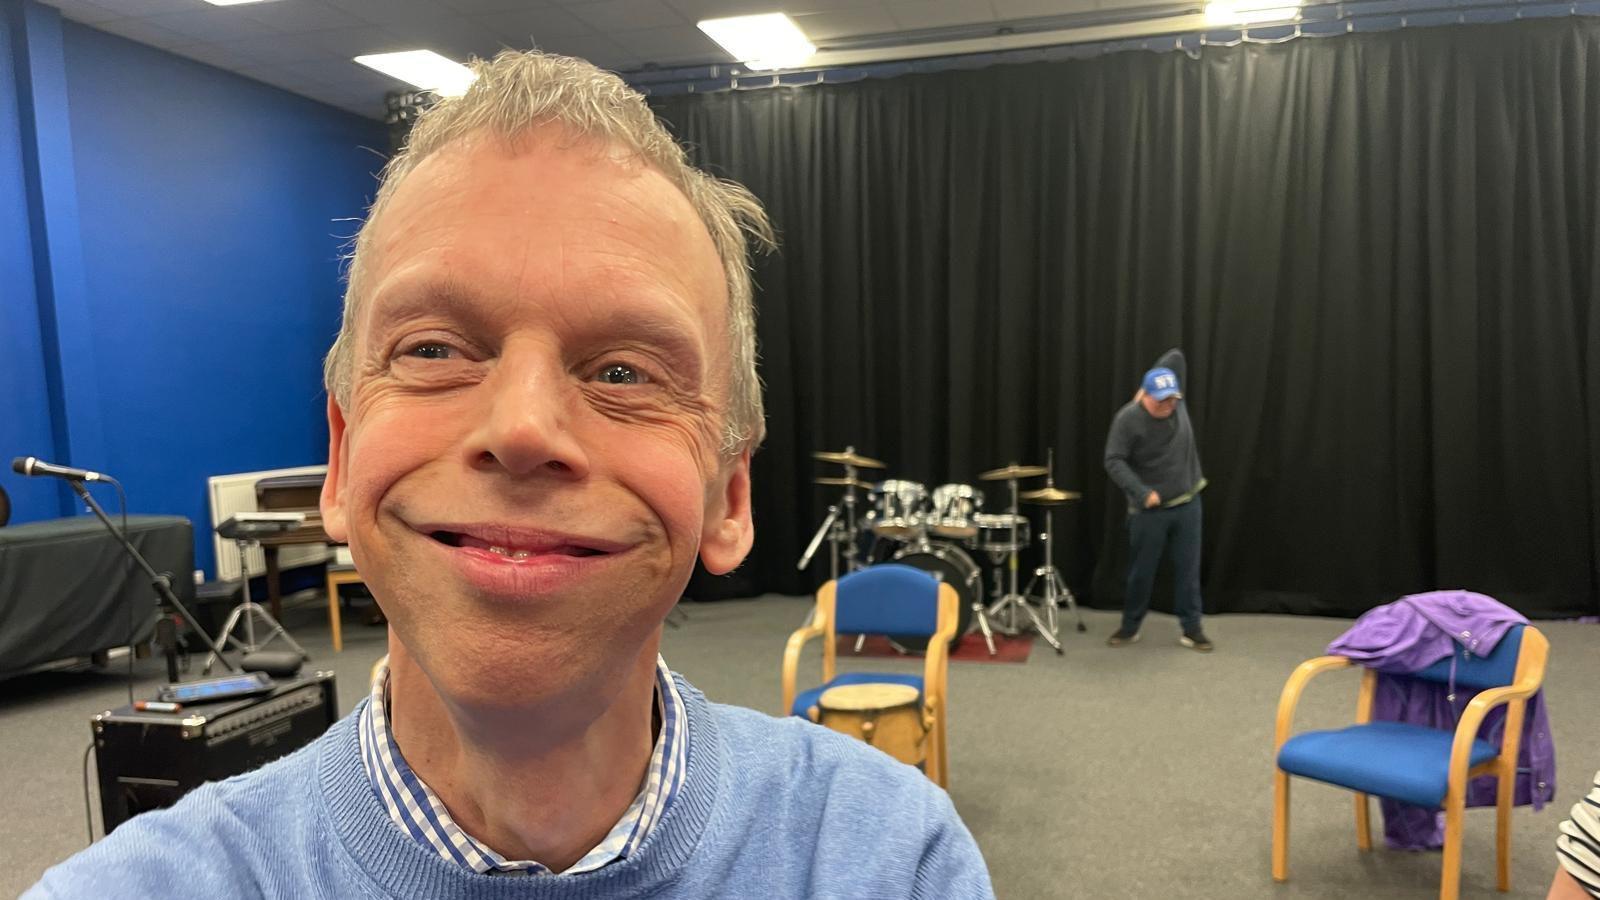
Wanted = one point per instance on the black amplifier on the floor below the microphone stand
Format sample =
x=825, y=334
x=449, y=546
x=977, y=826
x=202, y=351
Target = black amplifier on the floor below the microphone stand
x=151, y=760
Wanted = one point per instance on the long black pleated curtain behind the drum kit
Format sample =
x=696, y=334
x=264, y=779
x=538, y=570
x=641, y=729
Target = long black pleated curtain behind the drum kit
x=1378, y=251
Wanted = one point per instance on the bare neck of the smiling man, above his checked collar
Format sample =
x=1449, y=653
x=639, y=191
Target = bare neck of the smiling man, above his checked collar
x=545, y=785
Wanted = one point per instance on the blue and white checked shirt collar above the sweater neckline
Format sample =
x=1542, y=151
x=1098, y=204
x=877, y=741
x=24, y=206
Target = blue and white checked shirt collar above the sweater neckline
x=420, y=813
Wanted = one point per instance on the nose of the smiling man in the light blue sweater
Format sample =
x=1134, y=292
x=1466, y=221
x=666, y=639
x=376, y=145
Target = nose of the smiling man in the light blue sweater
x=529, y=414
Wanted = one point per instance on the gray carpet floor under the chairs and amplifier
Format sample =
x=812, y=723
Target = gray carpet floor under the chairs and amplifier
x=1130, y=773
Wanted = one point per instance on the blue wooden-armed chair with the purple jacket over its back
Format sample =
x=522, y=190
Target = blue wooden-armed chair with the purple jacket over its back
x=1415, y=765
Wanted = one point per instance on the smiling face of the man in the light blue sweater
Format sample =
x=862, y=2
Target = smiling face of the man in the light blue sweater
x=529, y=464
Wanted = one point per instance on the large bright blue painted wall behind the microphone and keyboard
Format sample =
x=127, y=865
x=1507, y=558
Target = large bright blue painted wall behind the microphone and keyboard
x=212, y=212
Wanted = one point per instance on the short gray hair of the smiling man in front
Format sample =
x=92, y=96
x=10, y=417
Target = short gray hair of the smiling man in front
x=522, y=90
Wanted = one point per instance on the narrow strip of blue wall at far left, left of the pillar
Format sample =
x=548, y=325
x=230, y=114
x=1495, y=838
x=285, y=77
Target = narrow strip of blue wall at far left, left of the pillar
x=25, y=406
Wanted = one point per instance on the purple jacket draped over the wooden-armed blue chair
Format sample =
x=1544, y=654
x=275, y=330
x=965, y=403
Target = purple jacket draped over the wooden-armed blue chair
x=1412, y=635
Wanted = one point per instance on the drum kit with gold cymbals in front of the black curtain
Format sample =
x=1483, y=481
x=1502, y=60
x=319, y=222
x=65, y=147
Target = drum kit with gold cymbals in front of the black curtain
x=948, y=534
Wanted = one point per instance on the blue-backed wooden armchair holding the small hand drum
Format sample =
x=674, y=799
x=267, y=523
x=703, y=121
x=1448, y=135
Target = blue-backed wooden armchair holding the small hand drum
x=882, y=600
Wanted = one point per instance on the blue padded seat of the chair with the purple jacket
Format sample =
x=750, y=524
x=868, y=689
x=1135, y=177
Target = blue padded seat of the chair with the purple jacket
x=1391, y=760
